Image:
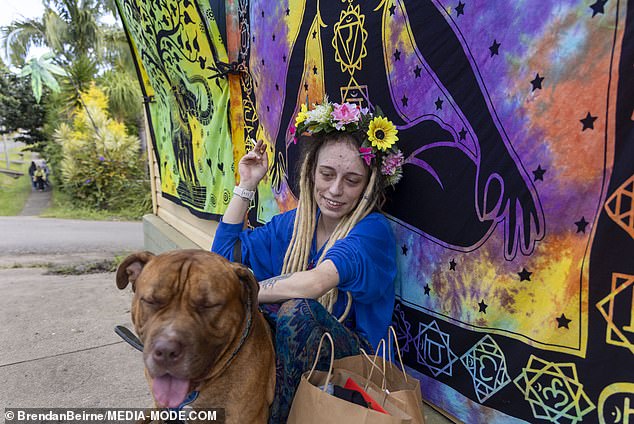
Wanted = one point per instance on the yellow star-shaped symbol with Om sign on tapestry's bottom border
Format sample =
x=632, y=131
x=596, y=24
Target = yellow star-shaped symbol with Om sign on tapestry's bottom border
x=553, y=391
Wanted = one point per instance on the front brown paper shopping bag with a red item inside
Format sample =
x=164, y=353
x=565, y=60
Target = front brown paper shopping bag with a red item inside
x=313, y=405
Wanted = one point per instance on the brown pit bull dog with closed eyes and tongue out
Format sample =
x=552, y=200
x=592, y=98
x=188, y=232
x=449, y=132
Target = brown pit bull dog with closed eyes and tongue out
x=198, y=318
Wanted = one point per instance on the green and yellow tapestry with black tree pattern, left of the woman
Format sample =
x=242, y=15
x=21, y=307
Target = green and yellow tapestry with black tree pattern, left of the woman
x=179, y=56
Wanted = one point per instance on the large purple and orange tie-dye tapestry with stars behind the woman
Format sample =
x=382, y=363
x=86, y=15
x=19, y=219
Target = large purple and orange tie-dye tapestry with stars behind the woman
x=514, y=217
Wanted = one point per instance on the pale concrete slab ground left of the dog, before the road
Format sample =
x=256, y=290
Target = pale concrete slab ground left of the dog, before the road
x=58, y=347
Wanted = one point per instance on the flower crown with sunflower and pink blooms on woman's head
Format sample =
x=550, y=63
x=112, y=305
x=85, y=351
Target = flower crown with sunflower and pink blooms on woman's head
x=380, y=143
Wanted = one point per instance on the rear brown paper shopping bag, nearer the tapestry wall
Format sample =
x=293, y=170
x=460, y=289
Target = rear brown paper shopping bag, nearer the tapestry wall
x=403, y=389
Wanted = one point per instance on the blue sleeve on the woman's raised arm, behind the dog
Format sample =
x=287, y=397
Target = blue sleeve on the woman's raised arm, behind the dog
x=263, y=248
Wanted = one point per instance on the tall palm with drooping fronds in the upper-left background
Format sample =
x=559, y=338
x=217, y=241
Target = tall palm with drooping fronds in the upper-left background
x=84, y=47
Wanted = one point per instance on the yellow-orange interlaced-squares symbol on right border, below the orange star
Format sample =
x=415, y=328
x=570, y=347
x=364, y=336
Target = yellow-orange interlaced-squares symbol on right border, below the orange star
x=620, y=330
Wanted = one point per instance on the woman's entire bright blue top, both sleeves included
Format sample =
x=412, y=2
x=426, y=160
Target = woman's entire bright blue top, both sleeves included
x=365, y=261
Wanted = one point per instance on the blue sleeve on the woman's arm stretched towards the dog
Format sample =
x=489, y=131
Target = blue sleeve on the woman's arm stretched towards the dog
x=366, y=260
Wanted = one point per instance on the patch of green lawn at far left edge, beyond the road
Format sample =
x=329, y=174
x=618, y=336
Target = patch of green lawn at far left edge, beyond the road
x=14, y=191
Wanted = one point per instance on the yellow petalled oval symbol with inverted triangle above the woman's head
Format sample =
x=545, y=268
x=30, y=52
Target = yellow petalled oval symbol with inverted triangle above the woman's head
x=349, y=40
